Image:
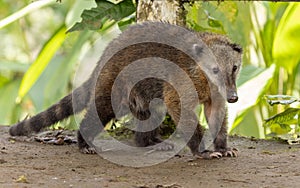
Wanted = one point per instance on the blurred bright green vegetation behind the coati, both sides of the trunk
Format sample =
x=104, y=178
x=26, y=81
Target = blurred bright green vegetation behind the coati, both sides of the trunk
x=38, y=60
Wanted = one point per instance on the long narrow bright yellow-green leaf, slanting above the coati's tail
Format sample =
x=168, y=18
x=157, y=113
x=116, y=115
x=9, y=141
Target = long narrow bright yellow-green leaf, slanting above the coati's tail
x=41, y=62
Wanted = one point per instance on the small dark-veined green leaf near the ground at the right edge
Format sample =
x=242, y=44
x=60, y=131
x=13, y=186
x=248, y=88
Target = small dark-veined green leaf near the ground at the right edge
x=285, y=117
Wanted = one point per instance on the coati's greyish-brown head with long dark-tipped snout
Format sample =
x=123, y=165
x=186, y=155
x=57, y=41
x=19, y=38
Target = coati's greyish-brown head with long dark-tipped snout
x=229, y=59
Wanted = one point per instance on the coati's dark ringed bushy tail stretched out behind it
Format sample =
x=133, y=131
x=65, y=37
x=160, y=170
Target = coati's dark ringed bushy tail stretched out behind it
x=57, y=112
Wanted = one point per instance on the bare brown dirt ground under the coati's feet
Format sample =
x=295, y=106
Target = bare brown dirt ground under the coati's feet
x=259, y=164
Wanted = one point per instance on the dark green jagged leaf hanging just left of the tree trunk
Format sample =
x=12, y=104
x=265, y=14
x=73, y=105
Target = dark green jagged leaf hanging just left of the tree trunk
x=95, y=18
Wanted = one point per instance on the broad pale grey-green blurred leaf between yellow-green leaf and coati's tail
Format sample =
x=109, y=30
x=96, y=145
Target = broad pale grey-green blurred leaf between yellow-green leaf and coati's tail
x=54, y=82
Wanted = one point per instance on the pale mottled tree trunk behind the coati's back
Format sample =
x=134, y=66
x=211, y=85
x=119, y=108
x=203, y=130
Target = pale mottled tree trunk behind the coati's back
x=170, y=11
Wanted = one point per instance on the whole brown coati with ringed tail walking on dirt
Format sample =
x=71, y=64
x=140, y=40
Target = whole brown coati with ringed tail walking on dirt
x=151, y=46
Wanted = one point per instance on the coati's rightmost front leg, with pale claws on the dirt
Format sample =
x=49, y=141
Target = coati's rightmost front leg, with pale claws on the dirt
x=216, y=116
